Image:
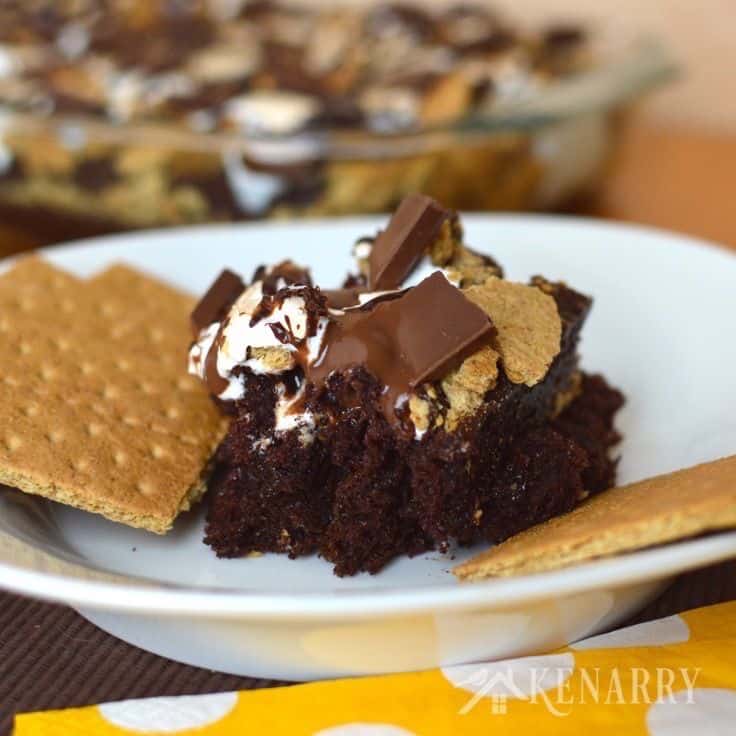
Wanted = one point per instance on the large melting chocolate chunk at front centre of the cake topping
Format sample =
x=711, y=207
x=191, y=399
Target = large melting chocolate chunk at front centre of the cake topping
x=419, y=336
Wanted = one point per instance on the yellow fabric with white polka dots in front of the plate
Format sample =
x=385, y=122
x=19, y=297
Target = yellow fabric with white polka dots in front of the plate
x=698, y=696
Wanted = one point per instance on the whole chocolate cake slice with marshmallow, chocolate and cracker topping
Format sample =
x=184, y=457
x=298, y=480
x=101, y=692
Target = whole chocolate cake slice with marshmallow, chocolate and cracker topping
x=384, y=418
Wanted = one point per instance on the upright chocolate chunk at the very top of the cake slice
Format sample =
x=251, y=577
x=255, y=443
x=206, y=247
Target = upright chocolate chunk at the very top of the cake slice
x=413, y=228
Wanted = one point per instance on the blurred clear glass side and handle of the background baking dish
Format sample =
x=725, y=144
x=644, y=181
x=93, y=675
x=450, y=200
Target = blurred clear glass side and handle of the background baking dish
x=64, y=176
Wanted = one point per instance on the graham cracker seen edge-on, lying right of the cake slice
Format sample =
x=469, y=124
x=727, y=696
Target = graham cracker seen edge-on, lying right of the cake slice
x=651, y=512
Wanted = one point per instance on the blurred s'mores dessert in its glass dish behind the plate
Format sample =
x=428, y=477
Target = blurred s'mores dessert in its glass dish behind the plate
x=137, y=113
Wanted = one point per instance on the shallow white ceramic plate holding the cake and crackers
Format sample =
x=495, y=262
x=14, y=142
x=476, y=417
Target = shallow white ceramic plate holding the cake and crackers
x=661, y=329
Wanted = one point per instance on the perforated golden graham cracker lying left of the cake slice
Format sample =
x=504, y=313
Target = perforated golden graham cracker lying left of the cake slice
x=96, y=408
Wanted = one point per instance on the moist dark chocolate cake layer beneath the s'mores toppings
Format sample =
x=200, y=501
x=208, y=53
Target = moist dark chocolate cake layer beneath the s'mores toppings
x=363, y=490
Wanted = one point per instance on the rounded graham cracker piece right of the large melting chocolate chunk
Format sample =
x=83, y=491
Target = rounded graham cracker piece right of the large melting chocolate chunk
x=528, y=327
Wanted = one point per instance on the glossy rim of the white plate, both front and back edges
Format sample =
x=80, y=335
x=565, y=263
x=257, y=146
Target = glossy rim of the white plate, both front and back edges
x=175, y=600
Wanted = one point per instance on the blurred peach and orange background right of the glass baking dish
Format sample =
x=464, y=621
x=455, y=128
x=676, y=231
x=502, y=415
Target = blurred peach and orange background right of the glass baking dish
x=677, y=168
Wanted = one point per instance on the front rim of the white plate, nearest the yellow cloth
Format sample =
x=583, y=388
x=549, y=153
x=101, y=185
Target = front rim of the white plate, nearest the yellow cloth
x=628, y=569
